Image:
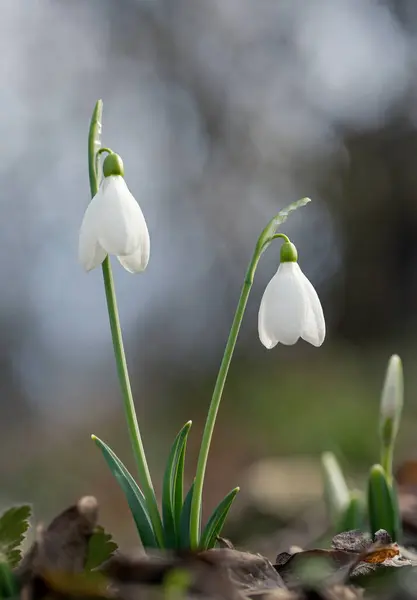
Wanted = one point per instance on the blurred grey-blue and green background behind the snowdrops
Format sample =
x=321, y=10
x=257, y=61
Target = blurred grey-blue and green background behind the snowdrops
x=224, y=111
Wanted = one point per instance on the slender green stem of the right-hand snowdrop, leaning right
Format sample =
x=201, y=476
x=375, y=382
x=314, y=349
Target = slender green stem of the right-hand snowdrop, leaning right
x=195, y=516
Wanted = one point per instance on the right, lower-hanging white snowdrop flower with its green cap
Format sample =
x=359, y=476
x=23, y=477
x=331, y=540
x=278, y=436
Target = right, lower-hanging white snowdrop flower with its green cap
x=290, y=307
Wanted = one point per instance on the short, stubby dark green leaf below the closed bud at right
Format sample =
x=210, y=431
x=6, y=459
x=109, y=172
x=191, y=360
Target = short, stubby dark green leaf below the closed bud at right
x=382, y=505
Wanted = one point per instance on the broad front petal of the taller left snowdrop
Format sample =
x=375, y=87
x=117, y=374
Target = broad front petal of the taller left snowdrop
x=121, y=225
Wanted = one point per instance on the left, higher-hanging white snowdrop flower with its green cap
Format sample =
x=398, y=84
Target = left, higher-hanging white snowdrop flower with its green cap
x=114, y=223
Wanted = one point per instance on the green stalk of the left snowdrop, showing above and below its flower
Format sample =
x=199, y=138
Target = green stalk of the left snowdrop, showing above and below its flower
x=119, y=353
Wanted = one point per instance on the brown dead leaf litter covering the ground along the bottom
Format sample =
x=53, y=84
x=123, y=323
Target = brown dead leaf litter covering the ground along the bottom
x=74, y=558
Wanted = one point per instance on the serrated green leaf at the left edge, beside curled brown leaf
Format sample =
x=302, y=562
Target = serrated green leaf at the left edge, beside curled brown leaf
x=13, y=525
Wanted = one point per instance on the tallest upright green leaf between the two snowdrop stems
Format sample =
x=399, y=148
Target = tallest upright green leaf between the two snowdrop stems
x=172, y=490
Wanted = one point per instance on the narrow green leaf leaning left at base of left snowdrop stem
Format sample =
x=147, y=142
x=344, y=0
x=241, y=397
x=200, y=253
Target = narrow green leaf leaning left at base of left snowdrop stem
x=133, y=494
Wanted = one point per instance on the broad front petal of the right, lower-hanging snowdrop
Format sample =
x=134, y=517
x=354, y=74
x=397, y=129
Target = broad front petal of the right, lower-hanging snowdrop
x=283, y=307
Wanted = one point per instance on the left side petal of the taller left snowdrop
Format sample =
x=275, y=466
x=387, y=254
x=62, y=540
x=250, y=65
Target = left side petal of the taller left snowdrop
x=90, y=253
